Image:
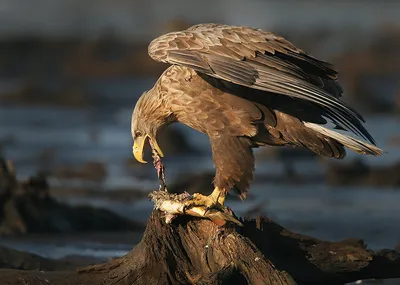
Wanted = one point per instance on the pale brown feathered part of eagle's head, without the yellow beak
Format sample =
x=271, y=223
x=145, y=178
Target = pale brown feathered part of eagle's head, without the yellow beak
x=151, y=113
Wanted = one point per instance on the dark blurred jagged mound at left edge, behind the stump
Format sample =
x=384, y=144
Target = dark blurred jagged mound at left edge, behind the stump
x=27, y=207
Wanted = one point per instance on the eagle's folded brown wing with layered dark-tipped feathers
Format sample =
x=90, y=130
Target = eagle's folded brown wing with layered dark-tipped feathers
x=260, y=60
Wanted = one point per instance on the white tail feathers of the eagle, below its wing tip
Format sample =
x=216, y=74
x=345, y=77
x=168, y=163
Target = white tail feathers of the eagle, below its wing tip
x=350, y=142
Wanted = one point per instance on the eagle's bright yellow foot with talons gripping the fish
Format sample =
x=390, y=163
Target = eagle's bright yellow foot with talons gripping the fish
x=213, y=201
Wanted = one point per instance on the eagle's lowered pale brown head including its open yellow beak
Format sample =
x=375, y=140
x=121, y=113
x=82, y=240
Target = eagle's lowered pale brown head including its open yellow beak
x=149, y=116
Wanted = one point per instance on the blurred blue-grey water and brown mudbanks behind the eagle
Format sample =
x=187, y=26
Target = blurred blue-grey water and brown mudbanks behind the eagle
x=71, y=72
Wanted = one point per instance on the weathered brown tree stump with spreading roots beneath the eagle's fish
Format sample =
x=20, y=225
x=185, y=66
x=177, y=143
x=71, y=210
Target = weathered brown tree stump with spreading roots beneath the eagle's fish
x=197, y=251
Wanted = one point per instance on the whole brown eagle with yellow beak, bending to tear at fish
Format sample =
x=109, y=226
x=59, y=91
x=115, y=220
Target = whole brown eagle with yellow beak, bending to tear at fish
x=245, y=88
